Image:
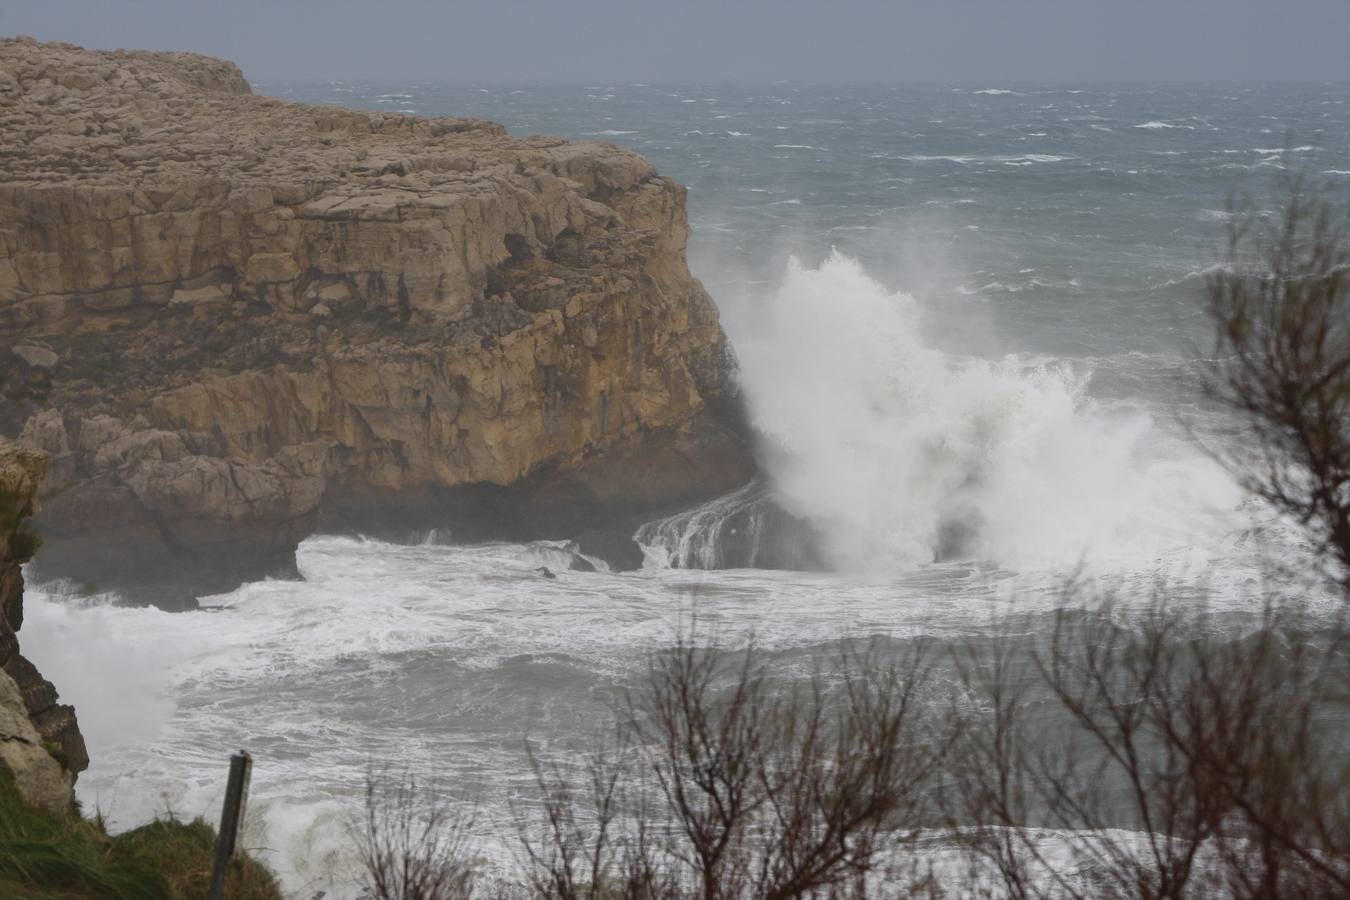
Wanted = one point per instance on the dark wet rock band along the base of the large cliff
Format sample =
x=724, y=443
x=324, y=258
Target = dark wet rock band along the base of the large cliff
x=117, y=546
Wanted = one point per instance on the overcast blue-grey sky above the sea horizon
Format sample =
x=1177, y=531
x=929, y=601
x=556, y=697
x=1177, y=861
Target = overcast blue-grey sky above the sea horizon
x=982, y=41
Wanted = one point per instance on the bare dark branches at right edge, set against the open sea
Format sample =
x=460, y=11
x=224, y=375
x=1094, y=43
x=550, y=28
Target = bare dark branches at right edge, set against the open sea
x=1282, y=360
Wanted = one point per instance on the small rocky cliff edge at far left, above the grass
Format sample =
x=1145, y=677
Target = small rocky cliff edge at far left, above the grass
x=40, y=740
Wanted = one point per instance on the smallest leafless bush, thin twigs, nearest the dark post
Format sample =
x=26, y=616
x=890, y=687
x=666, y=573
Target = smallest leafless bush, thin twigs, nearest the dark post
x=412, y=844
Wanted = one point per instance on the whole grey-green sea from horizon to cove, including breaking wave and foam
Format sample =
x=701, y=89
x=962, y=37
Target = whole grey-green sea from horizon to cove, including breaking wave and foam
x=962, y=307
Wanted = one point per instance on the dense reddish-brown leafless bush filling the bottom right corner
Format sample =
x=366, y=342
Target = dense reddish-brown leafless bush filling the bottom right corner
x=1171, y=760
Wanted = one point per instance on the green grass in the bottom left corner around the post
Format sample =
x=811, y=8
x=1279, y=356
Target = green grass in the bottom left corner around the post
x=71, y=859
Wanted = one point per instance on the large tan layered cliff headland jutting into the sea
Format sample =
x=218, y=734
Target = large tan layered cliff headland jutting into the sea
x=232, y=320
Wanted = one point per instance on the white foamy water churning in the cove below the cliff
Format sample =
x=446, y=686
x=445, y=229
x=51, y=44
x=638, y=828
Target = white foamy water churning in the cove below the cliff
x=434, y=658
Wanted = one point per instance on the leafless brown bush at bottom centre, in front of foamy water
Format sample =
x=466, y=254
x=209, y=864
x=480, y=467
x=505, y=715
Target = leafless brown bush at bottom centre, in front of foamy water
x=730, y=785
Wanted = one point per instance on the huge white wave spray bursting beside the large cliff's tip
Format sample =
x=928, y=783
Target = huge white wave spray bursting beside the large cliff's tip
x=898, y=454
